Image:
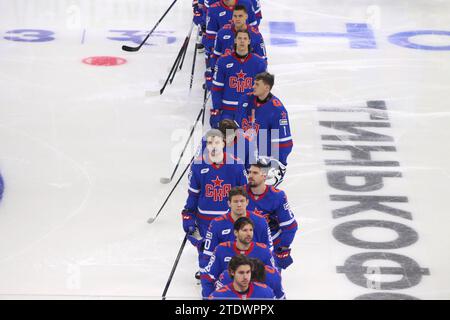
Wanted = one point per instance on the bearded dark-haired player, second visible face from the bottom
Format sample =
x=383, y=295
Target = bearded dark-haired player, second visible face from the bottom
x=244, y=244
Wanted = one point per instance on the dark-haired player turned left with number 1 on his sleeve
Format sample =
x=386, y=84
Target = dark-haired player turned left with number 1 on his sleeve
x=263, y=114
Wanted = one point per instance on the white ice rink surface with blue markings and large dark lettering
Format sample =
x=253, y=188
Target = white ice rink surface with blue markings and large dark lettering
x=82, y=147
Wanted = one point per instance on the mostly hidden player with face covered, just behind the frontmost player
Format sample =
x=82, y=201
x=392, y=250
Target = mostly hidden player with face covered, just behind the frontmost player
x=260, y=273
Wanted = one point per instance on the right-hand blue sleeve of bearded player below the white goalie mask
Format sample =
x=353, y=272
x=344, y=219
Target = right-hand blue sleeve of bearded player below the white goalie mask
x=286, y=220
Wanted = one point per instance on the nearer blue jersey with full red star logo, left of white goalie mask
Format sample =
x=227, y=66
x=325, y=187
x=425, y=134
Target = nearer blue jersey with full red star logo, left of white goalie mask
x=209, y=185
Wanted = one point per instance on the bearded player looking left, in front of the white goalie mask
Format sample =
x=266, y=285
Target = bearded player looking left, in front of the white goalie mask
x=273, y=204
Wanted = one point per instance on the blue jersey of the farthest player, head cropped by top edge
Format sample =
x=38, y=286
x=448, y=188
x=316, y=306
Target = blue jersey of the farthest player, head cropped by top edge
x=218, y=15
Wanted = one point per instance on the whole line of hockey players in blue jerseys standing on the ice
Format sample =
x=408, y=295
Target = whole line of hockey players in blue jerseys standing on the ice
x=236, y=217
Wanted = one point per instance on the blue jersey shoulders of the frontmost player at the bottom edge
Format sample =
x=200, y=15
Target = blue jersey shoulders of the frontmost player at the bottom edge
x=255, y=291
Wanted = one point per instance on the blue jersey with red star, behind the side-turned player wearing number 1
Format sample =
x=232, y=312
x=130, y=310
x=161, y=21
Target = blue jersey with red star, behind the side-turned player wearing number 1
x=233, y=78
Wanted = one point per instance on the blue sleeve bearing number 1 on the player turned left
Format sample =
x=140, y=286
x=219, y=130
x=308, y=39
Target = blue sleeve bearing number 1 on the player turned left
x=281, y=132
